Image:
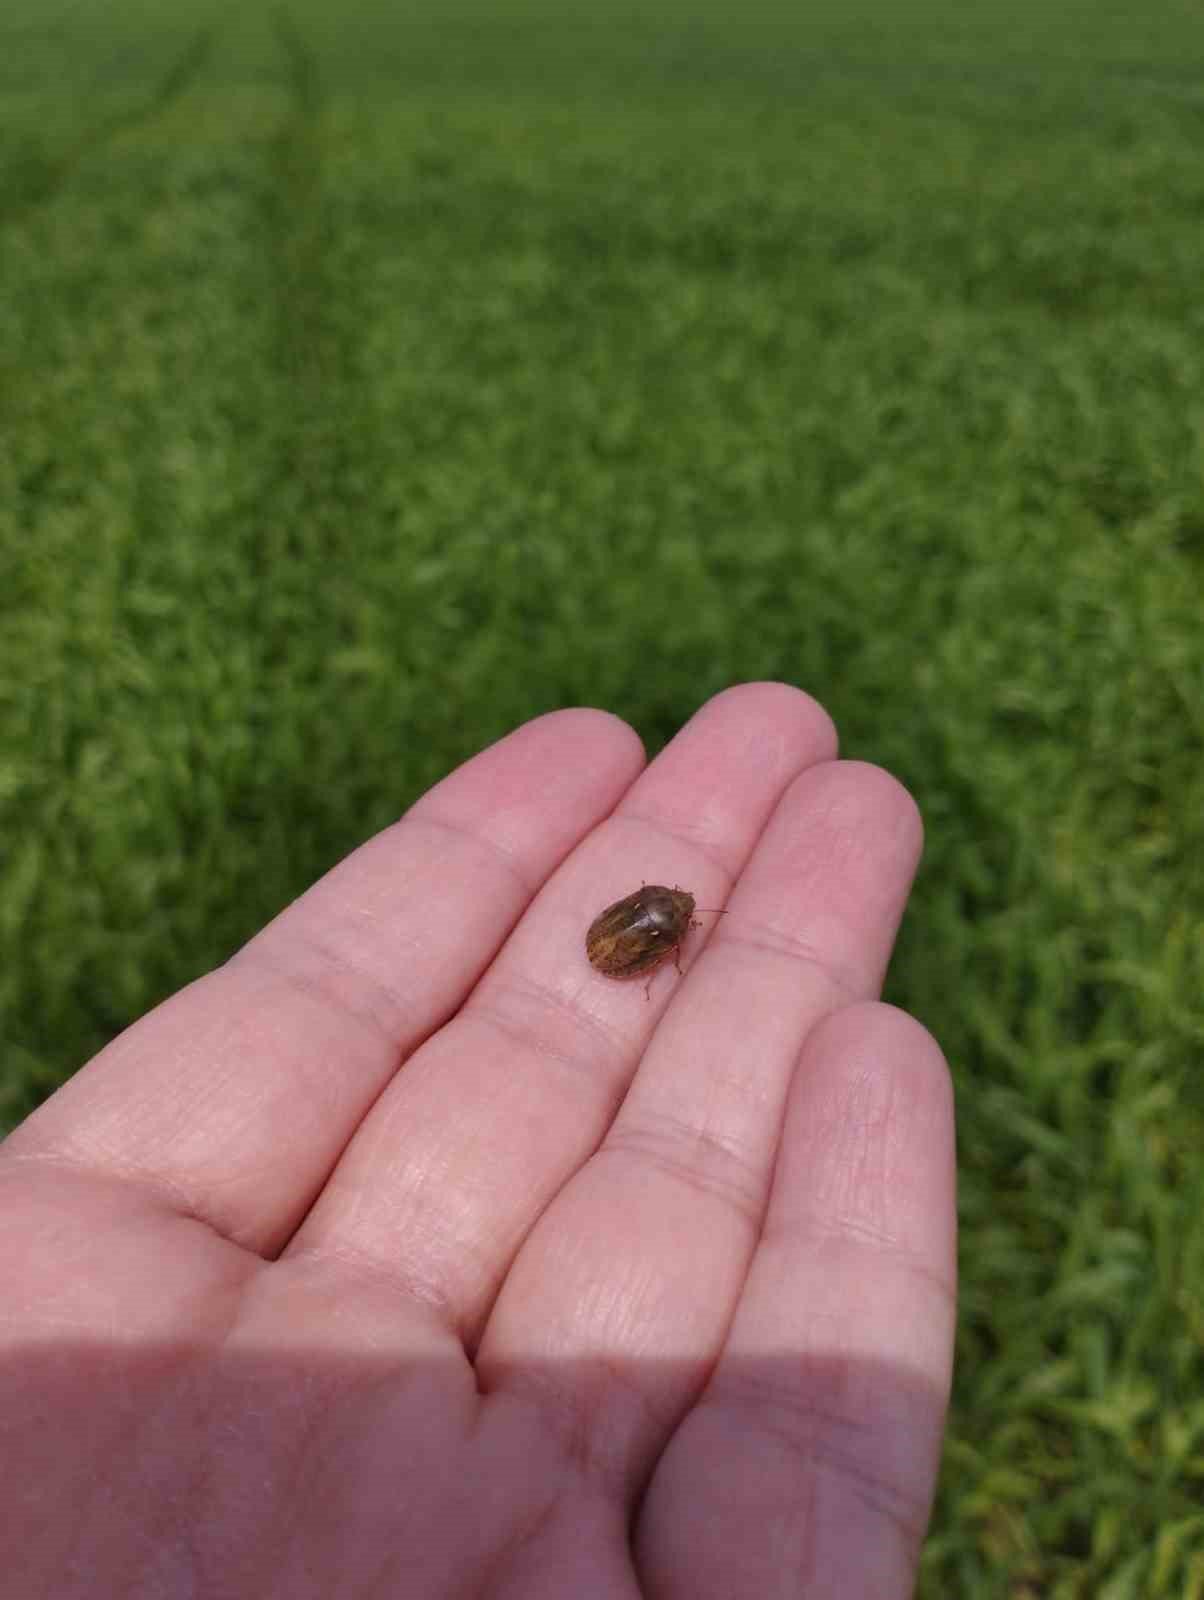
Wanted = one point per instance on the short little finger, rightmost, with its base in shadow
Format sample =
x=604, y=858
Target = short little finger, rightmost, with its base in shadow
x=822, y=1423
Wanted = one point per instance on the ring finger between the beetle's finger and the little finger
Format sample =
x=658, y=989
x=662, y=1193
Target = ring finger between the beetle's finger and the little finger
x=643, y=1260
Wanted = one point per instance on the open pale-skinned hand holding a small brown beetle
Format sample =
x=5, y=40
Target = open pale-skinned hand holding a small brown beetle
x=409, y=1257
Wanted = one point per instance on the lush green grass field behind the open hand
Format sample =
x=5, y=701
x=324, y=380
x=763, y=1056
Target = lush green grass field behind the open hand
x=371, y=383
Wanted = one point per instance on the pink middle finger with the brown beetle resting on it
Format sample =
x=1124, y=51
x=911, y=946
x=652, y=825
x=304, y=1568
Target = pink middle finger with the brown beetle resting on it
x=504, y=1106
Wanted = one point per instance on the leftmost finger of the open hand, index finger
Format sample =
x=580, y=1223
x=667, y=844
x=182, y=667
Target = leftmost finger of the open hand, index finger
x=236, y=1097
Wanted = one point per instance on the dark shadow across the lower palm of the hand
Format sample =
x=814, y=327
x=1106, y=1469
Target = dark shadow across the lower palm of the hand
x=215, y=1471
